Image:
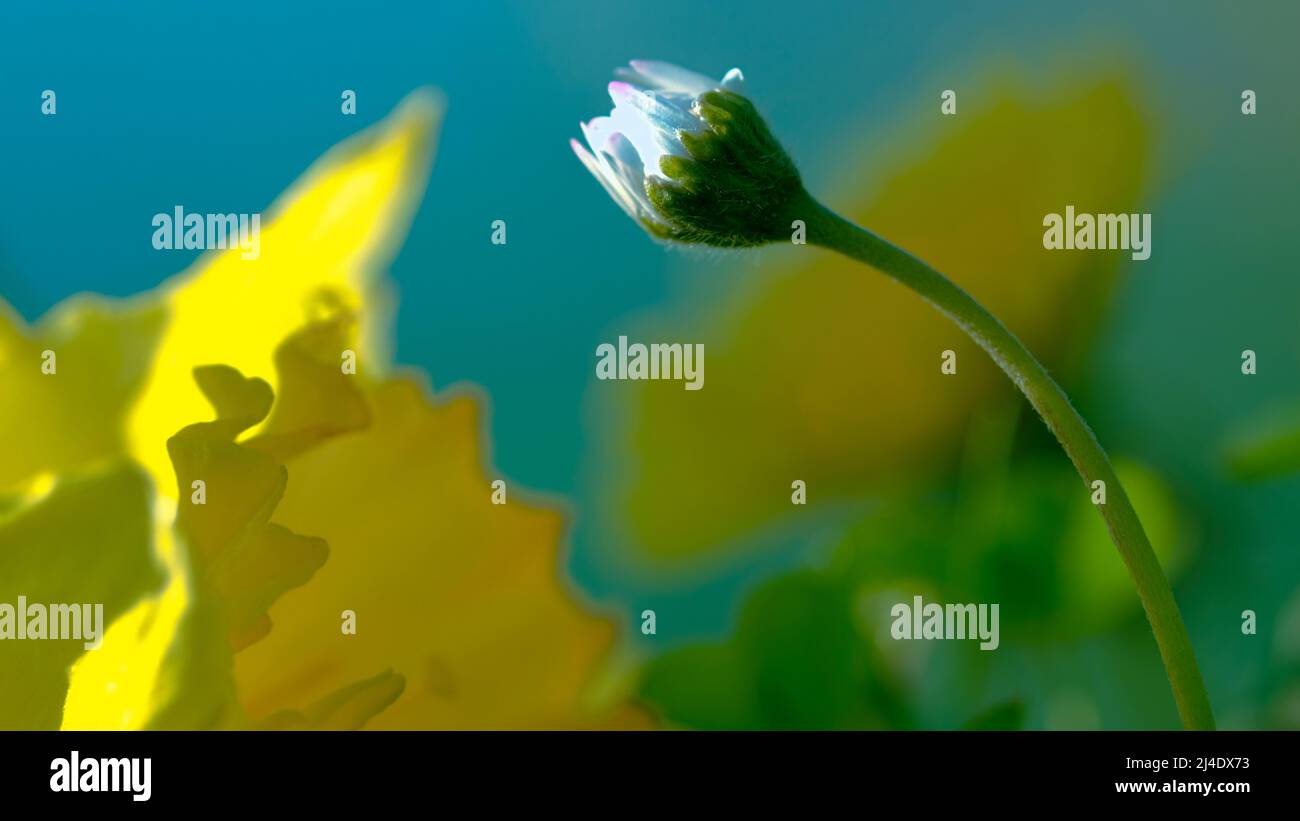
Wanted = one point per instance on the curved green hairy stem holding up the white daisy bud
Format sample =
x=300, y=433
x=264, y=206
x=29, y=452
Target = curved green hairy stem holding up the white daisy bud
x=830, y=231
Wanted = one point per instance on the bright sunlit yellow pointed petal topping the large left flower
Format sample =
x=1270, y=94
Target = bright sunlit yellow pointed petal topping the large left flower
x=324, y=246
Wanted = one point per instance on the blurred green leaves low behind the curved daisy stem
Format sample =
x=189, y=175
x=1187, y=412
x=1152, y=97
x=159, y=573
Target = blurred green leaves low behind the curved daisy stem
x=1017, y=528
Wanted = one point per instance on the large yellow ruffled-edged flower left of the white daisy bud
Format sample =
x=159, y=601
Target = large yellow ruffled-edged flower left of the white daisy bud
x=322, y=490
